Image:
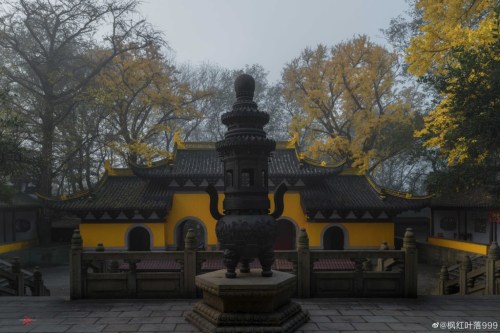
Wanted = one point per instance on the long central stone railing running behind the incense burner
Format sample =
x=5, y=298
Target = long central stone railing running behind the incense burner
x=171, y=274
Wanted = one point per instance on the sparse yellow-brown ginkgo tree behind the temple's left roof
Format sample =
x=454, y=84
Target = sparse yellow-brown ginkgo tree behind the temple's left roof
x=143, y=98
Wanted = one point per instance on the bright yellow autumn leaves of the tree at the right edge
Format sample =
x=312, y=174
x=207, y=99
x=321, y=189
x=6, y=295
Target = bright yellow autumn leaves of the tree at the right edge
x=452, y=28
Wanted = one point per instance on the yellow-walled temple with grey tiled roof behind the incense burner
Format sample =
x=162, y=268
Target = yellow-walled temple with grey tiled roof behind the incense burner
x=152, y=207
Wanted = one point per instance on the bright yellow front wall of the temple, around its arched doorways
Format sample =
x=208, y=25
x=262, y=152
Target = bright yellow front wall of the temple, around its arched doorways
x=195, y=206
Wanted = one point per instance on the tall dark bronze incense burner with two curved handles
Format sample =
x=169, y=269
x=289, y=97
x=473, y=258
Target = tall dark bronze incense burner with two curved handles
x=246, y=230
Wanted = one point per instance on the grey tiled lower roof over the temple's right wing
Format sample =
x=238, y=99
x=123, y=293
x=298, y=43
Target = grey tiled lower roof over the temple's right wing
x=351, y=192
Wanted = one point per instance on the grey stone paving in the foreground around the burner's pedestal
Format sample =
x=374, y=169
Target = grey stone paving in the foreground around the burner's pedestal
x=57, y=314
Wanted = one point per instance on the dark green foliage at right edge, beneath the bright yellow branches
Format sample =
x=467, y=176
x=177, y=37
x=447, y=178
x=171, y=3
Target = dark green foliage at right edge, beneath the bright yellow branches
x=474, y=84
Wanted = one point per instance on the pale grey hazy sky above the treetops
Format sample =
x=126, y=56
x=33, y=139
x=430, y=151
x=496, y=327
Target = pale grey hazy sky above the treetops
x=233, y=33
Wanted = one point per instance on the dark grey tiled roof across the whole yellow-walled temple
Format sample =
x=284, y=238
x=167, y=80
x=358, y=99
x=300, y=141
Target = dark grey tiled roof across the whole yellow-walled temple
x=323, y=187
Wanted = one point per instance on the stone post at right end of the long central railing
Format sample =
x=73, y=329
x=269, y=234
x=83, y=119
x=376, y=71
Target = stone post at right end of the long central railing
x=411, y=263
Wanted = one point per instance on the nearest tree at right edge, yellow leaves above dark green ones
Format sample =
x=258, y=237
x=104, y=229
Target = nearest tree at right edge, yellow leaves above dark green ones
x=457, y=53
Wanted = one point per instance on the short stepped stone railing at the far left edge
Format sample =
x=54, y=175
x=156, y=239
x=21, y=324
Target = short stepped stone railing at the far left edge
x=15, y=281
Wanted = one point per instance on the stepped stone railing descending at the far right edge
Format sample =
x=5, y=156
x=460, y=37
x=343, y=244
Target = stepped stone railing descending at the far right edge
x=483, y=280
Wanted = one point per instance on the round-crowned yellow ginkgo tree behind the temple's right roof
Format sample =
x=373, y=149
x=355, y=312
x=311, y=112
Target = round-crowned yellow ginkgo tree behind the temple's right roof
x=352, y=105
